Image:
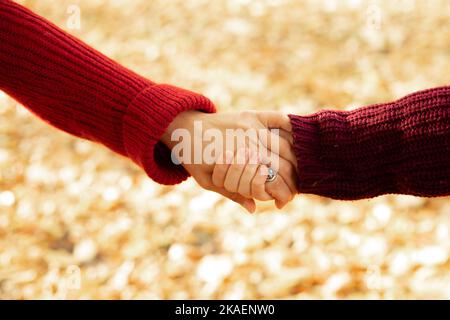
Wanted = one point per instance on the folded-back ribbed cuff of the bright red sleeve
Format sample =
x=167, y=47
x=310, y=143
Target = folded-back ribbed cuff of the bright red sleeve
x=147, y=118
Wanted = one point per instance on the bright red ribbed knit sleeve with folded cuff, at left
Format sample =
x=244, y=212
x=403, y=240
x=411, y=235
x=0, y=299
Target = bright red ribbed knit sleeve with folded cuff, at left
x=79, y=90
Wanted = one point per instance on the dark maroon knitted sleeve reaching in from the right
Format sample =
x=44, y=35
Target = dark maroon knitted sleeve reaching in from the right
x=400, y=147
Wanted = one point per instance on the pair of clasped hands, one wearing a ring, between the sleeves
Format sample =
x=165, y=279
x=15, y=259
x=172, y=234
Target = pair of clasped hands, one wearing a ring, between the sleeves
x=244, y=156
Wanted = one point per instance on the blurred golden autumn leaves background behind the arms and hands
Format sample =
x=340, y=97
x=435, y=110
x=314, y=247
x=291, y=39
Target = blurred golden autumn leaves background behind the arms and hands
x=77, y=221
